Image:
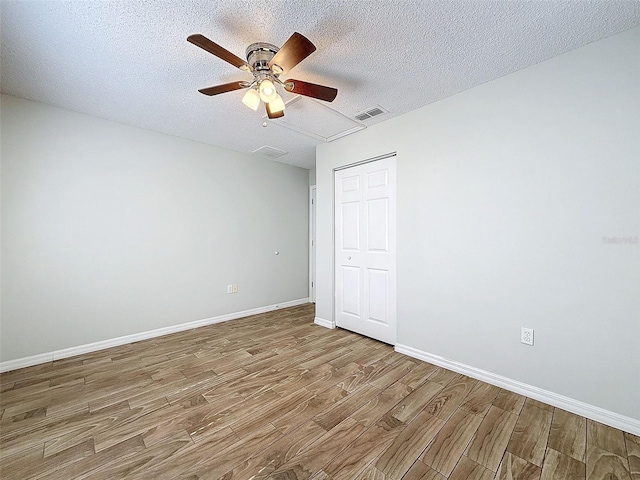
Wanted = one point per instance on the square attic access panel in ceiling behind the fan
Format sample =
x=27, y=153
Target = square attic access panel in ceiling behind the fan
x=316, y=120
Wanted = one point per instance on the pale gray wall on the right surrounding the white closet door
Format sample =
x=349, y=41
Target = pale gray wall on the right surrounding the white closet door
x=505, y=193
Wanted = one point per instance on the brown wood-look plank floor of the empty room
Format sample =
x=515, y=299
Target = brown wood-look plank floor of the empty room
x=275, y=396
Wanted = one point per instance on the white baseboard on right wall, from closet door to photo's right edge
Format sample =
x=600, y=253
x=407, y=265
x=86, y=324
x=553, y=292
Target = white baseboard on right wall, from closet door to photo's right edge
x=627, y=424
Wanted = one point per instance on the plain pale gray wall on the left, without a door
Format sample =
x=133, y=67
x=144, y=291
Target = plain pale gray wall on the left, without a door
x=110, y=230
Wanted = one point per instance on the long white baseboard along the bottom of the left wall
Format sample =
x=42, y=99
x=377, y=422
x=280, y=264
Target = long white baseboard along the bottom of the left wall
x=136, y=337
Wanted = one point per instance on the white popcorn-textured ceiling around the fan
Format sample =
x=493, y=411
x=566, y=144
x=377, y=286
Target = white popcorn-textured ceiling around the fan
x=129, y=61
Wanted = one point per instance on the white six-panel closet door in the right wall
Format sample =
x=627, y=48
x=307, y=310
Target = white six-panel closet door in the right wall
x=365, y=254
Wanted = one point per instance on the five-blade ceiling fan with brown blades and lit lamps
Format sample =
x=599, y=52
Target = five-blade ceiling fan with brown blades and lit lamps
x=267, y=62
